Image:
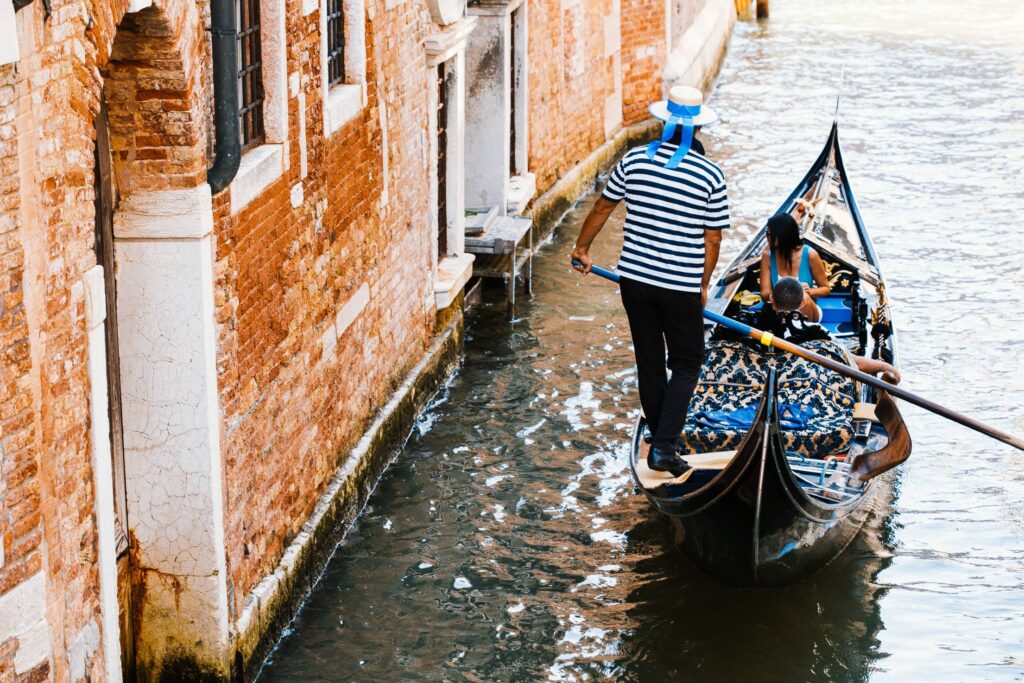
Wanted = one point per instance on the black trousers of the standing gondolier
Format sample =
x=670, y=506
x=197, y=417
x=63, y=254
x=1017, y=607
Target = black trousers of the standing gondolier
x=663, y=319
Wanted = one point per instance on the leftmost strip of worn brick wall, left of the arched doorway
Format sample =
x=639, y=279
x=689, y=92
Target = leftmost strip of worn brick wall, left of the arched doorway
x=47, y=235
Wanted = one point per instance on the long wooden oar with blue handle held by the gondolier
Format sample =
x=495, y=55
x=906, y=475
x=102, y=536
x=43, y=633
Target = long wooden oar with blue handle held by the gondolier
x=770, y=339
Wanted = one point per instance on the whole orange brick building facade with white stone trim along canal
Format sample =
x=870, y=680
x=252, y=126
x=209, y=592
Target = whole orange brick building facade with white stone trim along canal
x=203, y=373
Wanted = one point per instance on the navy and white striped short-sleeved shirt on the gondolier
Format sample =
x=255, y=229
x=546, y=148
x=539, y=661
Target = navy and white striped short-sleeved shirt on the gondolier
x=667, y=212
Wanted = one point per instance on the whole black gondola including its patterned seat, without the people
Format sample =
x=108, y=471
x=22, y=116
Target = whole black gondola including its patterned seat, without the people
x=774, y=497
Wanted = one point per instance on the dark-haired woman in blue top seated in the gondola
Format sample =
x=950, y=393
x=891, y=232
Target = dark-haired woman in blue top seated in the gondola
x=788, y=257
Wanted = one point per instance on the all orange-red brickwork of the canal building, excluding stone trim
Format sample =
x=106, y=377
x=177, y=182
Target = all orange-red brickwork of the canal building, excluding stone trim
x=298, y=376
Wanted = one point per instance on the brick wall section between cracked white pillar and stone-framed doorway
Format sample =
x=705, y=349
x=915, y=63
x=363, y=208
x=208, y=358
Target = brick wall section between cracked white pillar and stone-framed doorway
x=296, y=398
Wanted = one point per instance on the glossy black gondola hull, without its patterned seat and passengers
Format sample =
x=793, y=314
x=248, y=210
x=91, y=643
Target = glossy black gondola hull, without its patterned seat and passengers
x=752, y=523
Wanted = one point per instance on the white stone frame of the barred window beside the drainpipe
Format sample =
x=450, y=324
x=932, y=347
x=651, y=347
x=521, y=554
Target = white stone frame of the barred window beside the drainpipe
x=263, y=165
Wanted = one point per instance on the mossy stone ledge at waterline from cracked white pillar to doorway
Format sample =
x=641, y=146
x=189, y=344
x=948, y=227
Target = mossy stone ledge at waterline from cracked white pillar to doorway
x=273, y=603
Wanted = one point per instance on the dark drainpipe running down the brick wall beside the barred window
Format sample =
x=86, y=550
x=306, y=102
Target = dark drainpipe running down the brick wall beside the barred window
x=228, y=144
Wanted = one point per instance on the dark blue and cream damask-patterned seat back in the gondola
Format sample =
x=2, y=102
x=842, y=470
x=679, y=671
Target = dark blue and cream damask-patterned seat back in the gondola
x=817, y=405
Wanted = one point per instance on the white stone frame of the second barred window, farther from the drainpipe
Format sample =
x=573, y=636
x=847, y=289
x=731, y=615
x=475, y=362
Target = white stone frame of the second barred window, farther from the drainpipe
x=344, y=102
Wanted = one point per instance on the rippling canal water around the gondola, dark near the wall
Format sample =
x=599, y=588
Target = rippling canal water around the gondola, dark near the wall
x=507, y=542
